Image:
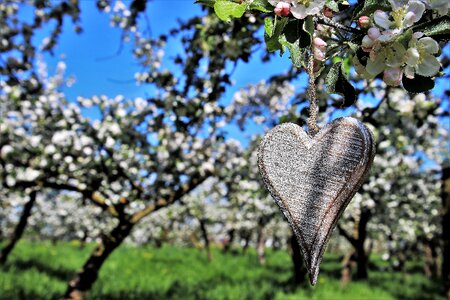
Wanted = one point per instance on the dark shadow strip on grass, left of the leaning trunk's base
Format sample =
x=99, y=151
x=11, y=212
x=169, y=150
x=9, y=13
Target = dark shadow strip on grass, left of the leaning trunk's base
x=52, y=271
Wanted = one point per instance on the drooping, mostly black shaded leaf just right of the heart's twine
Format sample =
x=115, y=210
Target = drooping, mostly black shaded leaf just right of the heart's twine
x=337, y=83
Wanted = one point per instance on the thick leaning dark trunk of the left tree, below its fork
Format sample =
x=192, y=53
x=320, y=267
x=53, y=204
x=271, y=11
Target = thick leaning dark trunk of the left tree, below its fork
x=85, y=278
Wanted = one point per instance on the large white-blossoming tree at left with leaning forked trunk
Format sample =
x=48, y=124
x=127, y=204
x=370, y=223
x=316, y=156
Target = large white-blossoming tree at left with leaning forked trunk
x=140, y=155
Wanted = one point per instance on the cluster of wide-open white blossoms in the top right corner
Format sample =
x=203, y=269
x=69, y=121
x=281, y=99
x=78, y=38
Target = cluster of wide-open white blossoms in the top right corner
x=394, y=49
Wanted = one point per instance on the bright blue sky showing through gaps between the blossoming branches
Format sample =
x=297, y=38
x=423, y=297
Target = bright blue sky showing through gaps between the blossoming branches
x=85, y=55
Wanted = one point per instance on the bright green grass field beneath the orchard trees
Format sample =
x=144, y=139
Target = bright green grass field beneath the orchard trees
x=41, y=270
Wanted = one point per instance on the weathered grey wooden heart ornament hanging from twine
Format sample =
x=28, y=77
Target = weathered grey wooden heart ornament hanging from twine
x=313, y=179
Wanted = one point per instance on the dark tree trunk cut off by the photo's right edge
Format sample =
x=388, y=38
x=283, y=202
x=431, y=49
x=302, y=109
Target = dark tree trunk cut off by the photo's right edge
x=445, y=195
